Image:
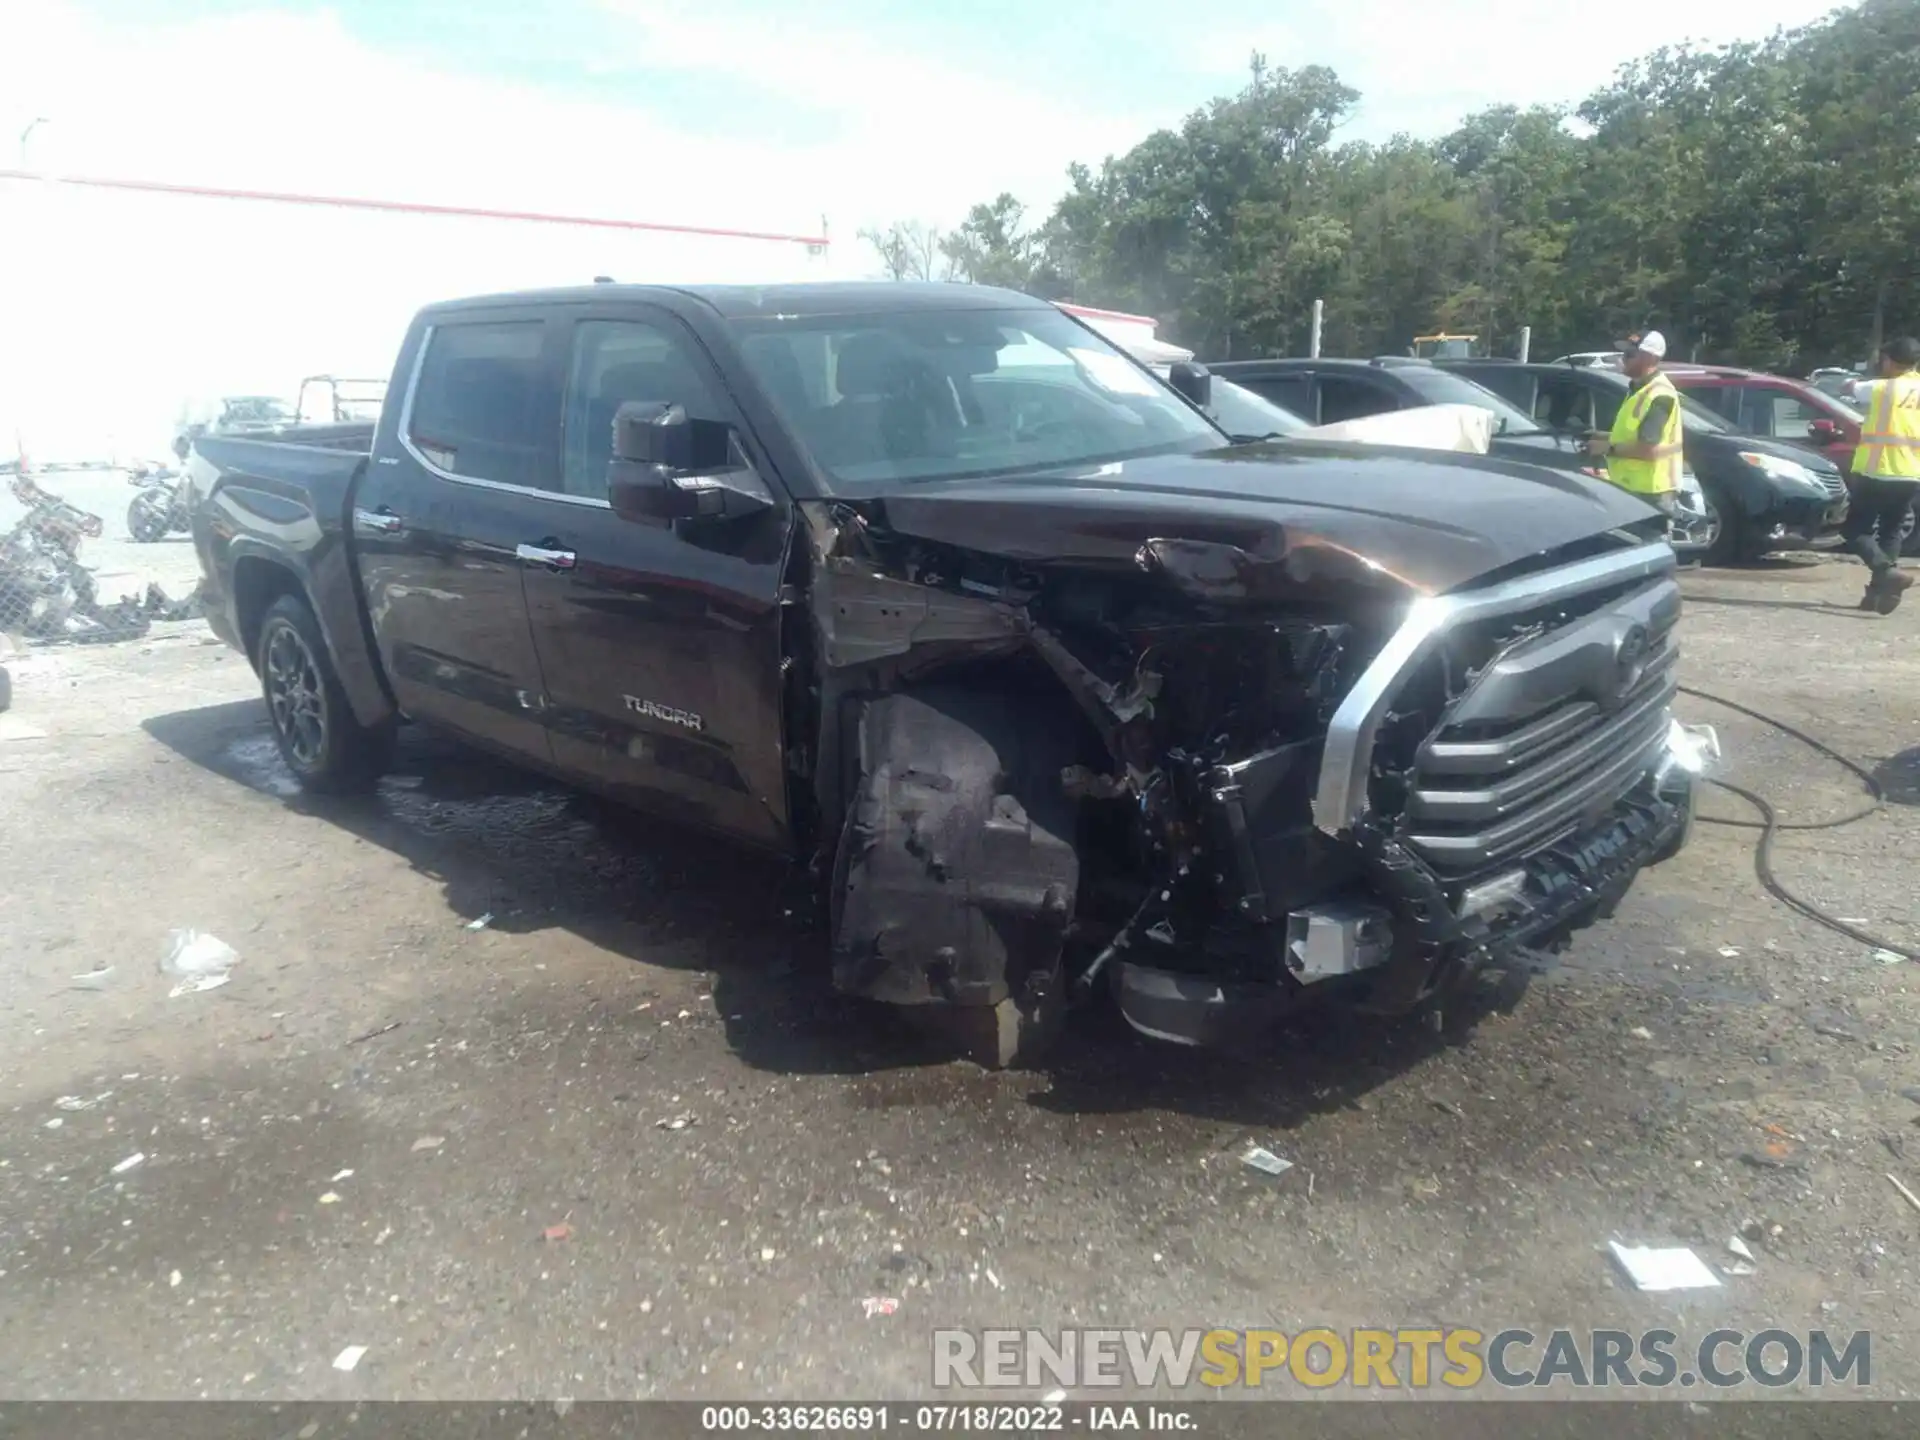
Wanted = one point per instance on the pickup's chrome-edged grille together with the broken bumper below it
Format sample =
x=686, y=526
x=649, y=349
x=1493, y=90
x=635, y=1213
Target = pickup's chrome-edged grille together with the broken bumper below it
x=1489, y=782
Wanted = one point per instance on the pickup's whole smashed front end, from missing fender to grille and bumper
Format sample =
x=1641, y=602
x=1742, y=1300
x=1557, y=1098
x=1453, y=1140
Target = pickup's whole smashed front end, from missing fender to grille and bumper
x=1132, y=775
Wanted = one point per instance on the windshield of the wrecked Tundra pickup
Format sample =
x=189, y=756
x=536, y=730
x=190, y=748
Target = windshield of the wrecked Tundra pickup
x=967, y=393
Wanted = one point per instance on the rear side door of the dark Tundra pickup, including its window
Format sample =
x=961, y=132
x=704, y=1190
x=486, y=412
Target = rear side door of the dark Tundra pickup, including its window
x=439, y=521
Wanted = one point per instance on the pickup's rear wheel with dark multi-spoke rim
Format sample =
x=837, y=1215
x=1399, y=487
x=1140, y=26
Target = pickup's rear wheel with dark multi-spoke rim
x=314, y=727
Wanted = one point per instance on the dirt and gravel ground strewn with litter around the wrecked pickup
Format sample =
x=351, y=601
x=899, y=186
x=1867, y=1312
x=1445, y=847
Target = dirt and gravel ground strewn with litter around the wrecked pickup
x=366, y=1138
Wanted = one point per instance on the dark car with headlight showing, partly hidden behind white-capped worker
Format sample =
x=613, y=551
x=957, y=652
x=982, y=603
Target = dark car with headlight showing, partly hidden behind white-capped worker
x=1764, y=494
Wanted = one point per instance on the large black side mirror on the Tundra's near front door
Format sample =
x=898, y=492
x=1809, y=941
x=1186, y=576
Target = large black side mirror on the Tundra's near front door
x=671, y=468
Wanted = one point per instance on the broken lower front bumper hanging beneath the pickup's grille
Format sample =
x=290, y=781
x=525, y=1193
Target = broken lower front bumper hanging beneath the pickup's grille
x=1420, y=928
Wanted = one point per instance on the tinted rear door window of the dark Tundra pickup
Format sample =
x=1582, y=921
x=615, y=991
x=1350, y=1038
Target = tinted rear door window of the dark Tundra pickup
x=477, y=408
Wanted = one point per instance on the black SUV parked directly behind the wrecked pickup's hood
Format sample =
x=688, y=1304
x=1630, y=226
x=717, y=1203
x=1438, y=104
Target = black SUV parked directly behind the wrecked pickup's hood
x=1333, y=391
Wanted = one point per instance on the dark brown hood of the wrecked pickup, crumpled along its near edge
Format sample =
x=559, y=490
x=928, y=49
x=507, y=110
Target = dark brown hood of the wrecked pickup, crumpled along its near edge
x=1262, y=521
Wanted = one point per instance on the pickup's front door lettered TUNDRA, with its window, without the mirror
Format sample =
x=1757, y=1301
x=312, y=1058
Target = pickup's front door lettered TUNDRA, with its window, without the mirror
x=660, y=642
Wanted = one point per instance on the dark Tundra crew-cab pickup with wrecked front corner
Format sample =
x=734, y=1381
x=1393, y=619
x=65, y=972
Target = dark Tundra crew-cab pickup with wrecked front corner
x=942, y=594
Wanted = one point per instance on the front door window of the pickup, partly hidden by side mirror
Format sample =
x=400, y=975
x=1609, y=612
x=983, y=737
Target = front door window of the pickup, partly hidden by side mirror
x=615, y=362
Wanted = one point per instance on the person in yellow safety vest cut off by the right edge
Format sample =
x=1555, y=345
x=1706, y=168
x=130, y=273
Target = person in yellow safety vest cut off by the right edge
x=1886, y=473
